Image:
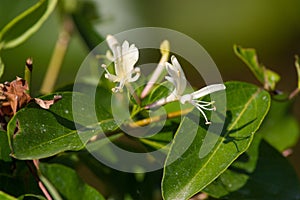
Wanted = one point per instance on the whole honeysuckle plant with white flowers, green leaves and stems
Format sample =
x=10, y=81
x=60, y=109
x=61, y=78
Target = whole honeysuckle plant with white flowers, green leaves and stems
x=43, y=147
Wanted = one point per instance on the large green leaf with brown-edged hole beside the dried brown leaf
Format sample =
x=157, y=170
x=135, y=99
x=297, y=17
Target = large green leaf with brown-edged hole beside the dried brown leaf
x=38, y=133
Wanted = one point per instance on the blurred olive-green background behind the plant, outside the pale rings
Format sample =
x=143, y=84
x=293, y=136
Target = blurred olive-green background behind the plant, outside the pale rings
x=271, y=27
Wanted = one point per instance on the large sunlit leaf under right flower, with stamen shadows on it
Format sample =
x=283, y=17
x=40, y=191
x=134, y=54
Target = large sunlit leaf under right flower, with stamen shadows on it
x=190, y=174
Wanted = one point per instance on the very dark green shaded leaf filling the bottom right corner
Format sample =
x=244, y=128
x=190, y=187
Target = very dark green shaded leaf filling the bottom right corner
x=273, y=178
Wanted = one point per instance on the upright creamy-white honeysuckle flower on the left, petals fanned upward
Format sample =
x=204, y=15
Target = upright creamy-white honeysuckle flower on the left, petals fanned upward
x=124, y=58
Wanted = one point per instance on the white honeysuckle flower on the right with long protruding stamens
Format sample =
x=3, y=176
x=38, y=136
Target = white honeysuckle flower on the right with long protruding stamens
x=178, y=79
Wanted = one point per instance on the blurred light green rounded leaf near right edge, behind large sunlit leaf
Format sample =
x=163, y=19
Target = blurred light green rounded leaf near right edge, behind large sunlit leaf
x=280, y=115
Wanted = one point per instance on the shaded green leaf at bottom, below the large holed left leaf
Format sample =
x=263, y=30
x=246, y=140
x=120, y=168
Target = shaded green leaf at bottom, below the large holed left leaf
x=68, y=183
